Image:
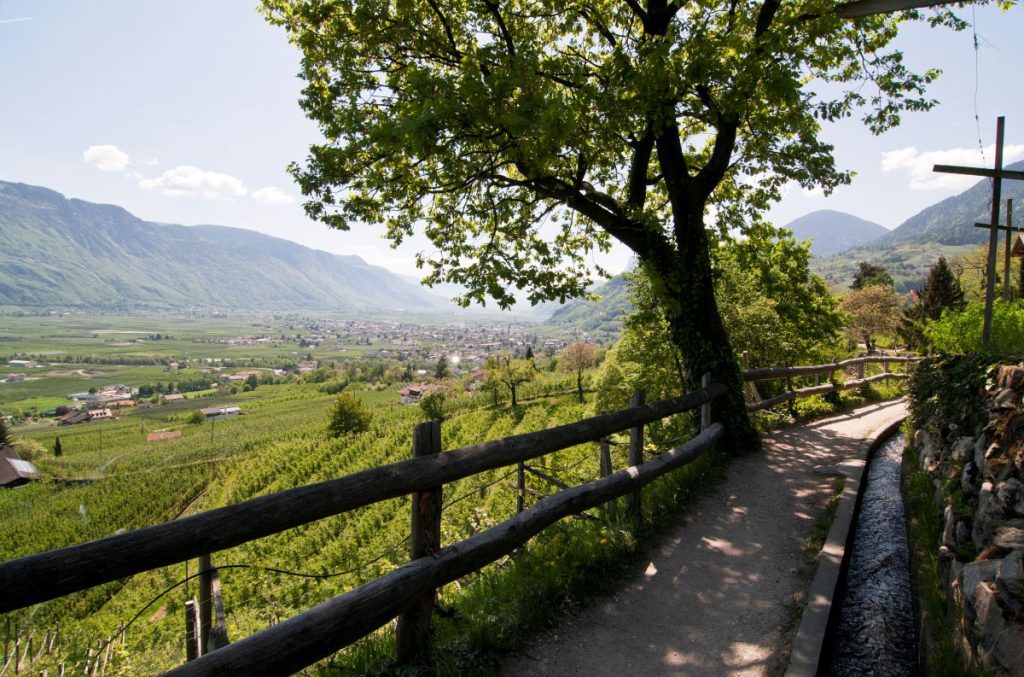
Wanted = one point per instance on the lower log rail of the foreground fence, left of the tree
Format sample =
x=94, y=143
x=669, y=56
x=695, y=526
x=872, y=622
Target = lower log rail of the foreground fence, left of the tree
x=315, y=634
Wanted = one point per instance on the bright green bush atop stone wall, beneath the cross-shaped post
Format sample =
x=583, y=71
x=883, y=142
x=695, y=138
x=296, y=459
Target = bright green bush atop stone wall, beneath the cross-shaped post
x=960, y=333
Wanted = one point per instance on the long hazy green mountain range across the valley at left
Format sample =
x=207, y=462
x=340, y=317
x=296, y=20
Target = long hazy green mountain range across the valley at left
x=72, y=253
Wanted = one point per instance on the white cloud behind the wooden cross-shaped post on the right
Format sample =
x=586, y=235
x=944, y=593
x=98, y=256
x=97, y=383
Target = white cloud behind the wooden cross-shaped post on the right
x=919, y=165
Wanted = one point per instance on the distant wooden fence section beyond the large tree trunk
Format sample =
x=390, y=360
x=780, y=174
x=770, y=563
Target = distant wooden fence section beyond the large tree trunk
x=789, y=373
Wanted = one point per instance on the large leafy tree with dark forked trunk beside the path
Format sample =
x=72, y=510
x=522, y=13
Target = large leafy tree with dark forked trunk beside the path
x=520, y=137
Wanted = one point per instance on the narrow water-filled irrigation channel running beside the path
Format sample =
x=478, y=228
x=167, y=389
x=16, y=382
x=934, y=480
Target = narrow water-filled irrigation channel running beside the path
x=875, y=633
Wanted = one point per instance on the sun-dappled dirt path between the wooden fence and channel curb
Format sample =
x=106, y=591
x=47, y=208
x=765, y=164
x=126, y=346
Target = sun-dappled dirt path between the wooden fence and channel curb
x=714, y=596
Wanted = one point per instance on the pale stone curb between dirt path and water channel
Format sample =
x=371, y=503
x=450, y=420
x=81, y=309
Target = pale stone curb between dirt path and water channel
x=809, y=645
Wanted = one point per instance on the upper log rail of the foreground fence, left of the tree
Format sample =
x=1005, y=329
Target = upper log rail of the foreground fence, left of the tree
x=50, y=575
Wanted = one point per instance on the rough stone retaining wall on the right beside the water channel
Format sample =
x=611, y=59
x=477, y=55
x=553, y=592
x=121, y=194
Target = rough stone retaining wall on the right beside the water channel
x=978, y=482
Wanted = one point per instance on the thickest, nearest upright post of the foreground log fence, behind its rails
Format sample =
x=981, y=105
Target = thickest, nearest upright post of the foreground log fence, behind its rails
x=425, y=540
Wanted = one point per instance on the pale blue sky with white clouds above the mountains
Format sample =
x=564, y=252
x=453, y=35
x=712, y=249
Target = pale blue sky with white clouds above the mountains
x=187, y=112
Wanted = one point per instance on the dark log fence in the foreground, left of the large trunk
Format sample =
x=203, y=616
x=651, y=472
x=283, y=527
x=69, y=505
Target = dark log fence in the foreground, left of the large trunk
x=407, y=593
